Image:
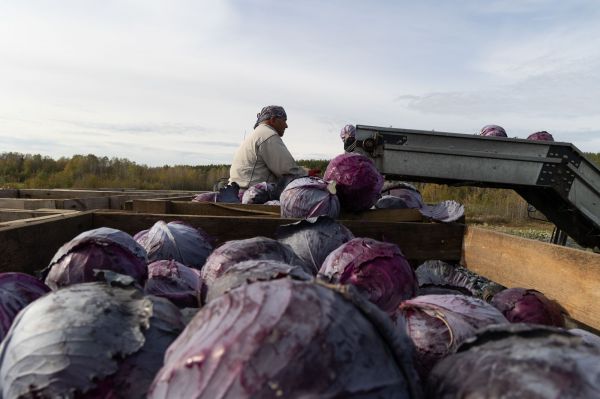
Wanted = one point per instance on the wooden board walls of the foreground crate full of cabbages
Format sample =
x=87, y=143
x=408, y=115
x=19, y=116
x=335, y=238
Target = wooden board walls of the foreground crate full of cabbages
x=569, y=276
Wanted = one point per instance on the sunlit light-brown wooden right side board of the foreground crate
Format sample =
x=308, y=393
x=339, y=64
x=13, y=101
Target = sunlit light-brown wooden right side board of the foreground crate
x=567, y=275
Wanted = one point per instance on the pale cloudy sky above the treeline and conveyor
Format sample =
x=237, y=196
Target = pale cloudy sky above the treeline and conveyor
x=180, y=82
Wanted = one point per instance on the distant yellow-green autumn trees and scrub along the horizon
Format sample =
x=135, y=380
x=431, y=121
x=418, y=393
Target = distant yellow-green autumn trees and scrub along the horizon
x=89, y=171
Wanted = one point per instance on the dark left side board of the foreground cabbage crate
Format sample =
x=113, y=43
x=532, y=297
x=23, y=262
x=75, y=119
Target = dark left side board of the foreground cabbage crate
x=30, y=247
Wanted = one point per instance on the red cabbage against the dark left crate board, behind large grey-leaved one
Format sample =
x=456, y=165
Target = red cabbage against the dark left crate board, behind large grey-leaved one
x=98, y=249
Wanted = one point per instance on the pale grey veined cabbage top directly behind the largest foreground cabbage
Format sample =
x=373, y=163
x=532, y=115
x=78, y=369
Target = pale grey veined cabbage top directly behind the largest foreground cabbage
x=251, y=271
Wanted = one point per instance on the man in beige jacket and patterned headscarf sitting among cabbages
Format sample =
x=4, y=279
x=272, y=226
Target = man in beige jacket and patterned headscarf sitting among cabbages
x=263, y=157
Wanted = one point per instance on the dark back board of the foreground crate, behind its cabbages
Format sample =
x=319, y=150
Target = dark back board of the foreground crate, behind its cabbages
x=418, y=241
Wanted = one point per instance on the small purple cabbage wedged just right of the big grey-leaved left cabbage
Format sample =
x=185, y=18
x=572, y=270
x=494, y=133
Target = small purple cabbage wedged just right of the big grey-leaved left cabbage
x=175, y=281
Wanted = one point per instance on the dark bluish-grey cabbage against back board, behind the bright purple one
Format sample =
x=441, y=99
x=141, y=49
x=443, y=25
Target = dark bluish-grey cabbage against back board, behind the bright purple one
x=313, y=239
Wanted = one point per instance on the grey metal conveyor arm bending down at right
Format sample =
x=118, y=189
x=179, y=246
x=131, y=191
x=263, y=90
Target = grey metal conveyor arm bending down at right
x=554, y=177
